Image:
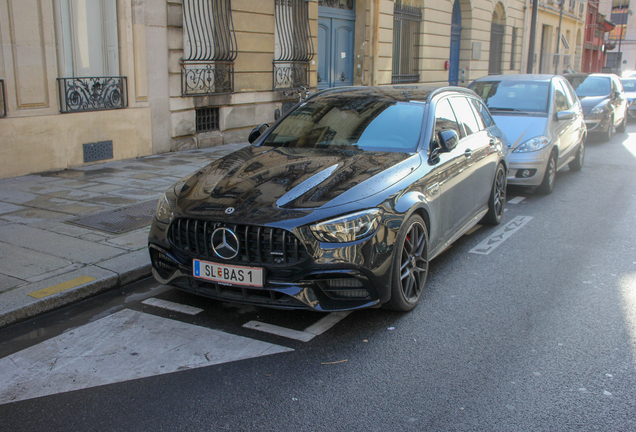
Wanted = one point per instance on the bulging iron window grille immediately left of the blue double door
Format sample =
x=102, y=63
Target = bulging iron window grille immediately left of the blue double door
x=294, y=47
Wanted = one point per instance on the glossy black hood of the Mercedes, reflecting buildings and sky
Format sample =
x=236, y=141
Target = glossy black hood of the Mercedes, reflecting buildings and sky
x=278, y=178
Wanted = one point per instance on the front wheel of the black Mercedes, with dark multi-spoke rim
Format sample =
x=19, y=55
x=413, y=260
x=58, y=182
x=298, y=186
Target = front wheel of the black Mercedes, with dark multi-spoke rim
x=410, y=265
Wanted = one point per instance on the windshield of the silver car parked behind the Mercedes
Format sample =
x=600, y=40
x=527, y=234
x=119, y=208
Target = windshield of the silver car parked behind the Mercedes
x=522, y=96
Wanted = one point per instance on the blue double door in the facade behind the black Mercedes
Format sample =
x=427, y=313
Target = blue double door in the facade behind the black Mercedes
x=335, y=47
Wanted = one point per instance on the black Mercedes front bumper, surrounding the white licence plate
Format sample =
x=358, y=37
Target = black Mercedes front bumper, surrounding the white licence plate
x=352, y=276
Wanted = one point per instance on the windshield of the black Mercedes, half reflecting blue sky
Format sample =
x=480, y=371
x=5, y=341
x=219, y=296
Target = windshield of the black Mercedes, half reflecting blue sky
x=351, y=124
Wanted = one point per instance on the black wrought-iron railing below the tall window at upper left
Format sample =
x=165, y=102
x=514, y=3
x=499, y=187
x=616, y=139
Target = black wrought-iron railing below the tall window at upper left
x=81, y=94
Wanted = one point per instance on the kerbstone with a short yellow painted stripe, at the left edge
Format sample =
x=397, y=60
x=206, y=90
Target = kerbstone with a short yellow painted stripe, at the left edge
x=17, y=305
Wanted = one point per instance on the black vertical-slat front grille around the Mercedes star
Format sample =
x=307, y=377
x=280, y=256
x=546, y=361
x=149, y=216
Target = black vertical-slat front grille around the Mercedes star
x=257, y=245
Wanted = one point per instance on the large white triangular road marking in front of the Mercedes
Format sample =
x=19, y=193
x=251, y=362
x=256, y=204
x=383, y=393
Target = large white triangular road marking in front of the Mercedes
x=123, y=346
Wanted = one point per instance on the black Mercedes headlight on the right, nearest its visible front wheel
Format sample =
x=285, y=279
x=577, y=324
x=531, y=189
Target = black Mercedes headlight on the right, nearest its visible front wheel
x=348, y=228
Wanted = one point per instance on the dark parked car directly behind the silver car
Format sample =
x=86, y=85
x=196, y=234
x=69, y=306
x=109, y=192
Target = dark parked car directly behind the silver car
x=604, y=102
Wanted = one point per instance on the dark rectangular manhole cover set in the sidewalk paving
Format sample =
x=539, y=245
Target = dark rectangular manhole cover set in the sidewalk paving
x=121, y=220
